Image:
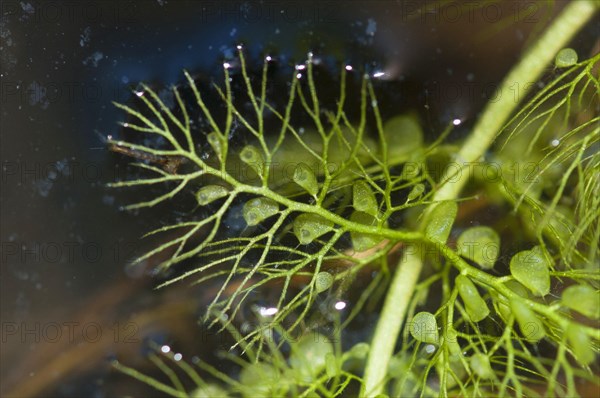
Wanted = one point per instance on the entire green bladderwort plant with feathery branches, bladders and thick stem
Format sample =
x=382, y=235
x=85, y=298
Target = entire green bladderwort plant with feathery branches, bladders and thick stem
x=462, y=315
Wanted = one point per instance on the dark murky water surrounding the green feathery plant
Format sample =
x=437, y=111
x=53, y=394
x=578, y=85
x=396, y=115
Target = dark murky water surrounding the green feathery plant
x=68, y=303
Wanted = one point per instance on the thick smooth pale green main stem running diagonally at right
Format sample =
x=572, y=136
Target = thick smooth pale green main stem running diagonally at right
x=574, y=17
